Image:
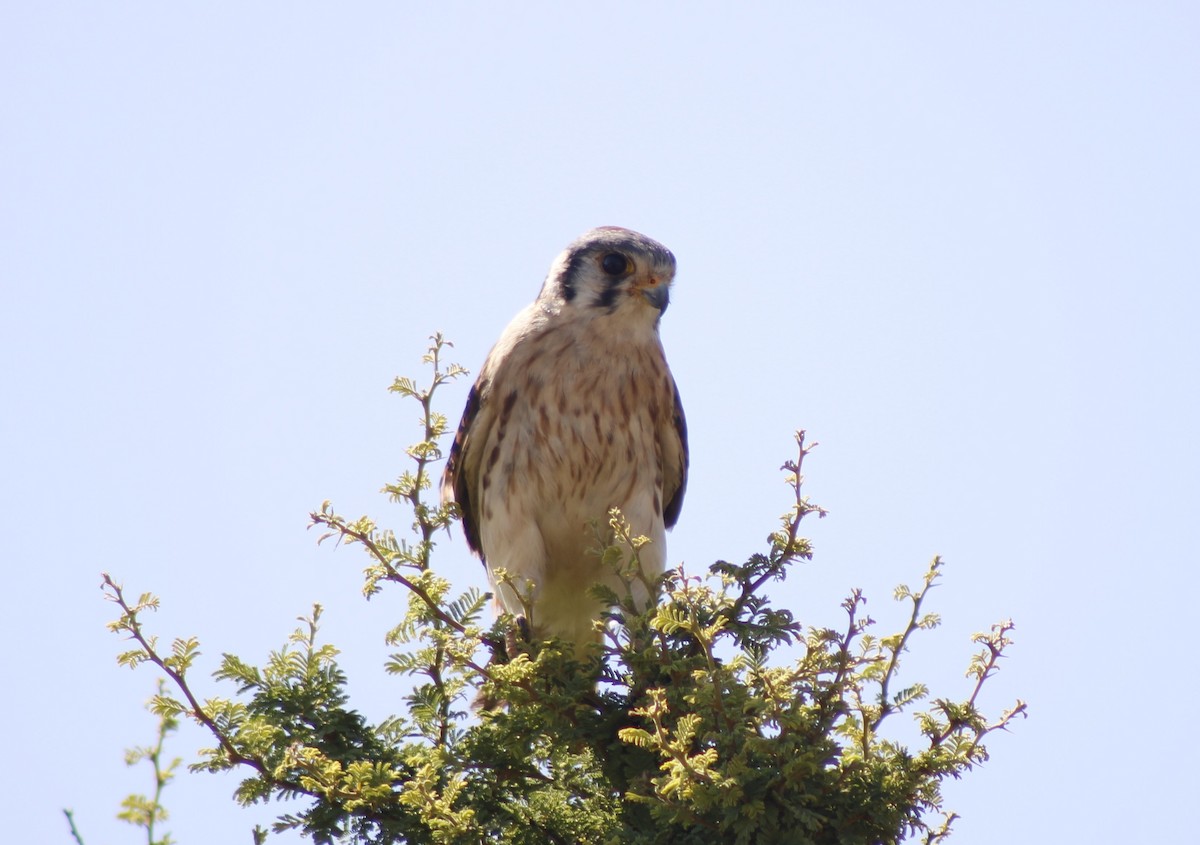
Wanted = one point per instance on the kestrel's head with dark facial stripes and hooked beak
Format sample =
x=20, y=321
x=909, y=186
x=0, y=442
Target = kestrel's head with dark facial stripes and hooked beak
x=611, y=271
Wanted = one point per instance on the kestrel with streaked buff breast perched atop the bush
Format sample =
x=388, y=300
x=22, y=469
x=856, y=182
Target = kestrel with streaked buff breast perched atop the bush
x=575, y=412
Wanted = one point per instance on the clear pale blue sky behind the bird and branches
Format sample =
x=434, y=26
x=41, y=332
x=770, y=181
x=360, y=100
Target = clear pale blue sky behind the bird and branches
x=957, y=244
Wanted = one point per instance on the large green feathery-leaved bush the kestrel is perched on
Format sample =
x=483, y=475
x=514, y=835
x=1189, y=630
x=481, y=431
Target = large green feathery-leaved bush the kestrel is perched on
x=688, y=724
